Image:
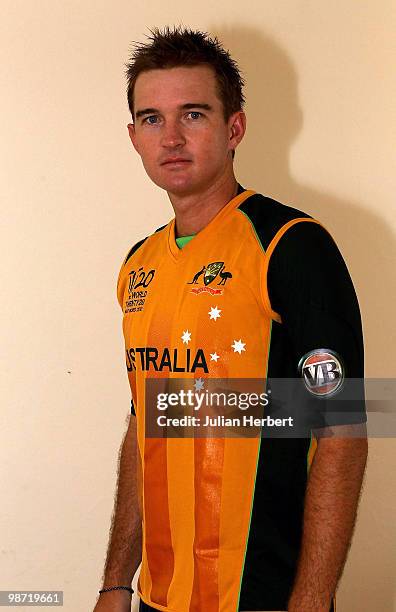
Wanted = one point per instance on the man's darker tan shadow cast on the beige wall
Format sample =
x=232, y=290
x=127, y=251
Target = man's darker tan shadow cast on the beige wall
x=275, y=120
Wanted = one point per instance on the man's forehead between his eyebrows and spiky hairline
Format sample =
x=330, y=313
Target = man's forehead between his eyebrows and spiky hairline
x=175, y=86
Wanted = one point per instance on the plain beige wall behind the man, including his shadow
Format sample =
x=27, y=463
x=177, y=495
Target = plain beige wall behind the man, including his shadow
x=74, y=197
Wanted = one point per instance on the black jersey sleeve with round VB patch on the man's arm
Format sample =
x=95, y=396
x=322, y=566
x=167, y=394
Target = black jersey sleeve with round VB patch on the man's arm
x=309, y=286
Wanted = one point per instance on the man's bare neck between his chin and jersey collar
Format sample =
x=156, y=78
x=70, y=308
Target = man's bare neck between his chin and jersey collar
x=194, y=211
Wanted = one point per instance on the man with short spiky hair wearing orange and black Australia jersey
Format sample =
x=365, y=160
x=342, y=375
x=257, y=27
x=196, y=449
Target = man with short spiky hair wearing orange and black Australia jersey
x=236, y=286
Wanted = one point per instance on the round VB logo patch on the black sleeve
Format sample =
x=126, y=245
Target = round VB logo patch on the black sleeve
x=322, y=371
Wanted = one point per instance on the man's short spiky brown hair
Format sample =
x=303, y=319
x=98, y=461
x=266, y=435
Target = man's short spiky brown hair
x=179, y=46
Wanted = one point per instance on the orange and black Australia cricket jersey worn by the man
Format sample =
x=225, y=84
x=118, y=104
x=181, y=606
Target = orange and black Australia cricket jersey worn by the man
x=222, y=517
